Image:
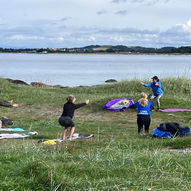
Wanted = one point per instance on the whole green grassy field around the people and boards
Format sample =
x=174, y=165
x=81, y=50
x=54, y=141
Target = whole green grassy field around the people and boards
x=116, y=158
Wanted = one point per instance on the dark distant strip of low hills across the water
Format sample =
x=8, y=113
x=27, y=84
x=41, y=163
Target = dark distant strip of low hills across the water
x=104, y=49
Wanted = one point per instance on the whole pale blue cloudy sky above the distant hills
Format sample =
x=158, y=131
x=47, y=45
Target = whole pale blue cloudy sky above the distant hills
x=78, y=23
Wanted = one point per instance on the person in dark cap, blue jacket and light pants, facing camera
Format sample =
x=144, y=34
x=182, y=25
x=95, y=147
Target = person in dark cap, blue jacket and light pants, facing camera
x=157, y=91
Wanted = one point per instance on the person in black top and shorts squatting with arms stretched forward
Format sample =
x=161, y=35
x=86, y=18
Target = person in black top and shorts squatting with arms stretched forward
x=68, y=112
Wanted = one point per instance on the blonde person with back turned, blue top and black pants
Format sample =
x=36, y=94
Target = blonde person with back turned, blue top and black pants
x=143, y=107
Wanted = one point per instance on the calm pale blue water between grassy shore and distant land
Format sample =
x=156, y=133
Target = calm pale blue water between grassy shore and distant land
x=78, y=69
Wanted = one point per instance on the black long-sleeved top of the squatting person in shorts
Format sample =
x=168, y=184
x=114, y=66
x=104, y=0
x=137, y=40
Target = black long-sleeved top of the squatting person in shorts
x=69, y=108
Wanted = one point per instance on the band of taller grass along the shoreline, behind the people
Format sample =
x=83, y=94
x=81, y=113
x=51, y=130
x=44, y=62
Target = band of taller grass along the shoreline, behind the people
x=180, y=87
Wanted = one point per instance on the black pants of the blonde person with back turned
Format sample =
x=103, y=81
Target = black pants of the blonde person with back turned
x=143, y=120
